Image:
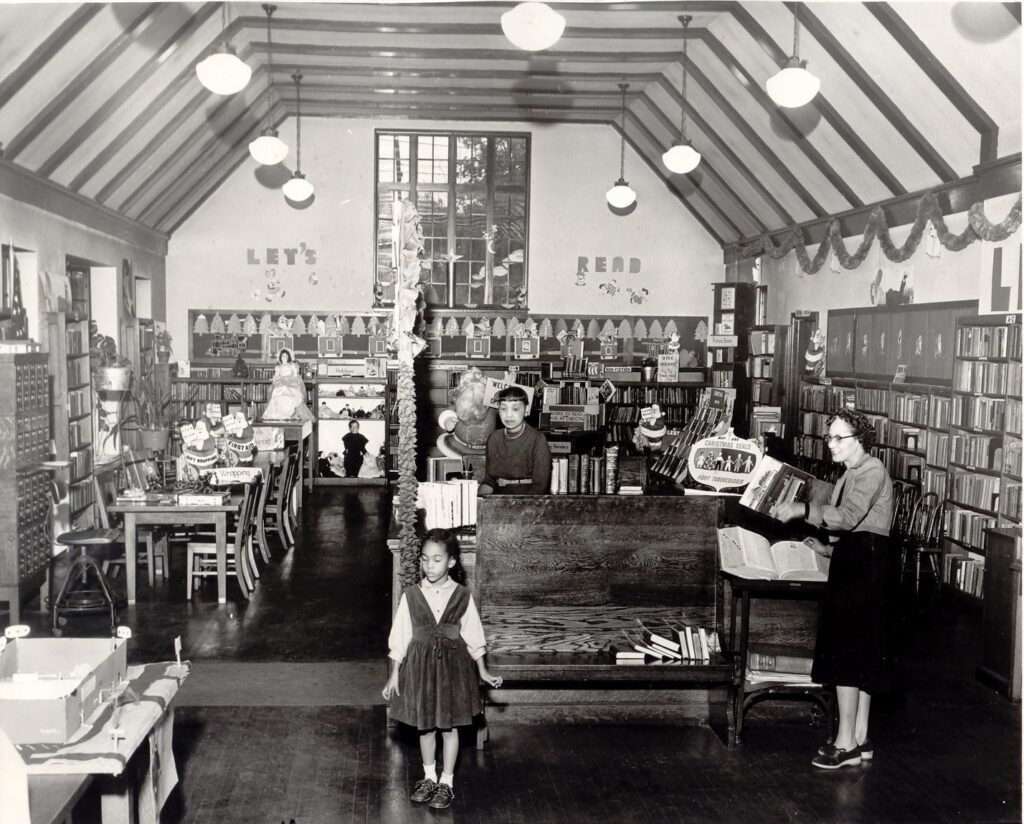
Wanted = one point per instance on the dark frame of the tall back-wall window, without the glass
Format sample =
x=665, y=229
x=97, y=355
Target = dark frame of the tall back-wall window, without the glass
x=491, y=191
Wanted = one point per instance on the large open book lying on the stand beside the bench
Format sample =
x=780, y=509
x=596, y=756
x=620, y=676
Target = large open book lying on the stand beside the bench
x=749, y=555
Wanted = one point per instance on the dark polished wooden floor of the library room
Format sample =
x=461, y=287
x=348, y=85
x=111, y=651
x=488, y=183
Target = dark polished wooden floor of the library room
x=948, y=750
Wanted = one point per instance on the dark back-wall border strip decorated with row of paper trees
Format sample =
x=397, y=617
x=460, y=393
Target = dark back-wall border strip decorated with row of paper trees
x=223, y=335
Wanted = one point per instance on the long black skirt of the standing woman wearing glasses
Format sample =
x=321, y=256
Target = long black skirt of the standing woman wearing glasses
x=859, y=630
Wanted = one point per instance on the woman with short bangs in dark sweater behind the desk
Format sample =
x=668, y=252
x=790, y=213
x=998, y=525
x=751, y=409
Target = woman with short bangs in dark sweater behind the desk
x=519, y=461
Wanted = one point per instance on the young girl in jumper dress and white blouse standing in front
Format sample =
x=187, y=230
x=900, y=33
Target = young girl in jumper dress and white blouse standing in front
x=436, y=638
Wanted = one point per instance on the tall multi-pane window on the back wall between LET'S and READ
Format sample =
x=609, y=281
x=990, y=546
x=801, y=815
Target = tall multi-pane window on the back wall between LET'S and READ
x=472, y=192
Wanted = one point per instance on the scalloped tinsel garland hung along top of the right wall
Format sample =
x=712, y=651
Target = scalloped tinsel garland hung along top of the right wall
x=979, y=229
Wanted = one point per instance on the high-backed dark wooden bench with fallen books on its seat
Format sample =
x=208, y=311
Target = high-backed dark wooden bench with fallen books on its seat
x=559, y=579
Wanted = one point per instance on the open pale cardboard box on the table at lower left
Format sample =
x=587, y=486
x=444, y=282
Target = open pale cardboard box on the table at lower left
x=50, y=686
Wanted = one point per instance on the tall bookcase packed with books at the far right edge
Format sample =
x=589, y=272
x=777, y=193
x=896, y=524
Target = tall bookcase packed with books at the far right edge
x=985, y=445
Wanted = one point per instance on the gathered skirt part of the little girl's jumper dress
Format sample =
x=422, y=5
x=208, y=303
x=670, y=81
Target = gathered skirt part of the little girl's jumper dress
x=439, y=686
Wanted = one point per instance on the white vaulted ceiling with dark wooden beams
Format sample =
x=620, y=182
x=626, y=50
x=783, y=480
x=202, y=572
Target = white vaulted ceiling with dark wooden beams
x=104, y=100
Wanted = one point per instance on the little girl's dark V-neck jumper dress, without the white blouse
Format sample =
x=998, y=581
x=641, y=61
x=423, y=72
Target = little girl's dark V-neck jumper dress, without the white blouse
x=439, y=685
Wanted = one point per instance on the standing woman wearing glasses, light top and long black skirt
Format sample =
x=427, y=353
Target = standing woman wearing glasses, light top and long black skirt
x=857, y=647
